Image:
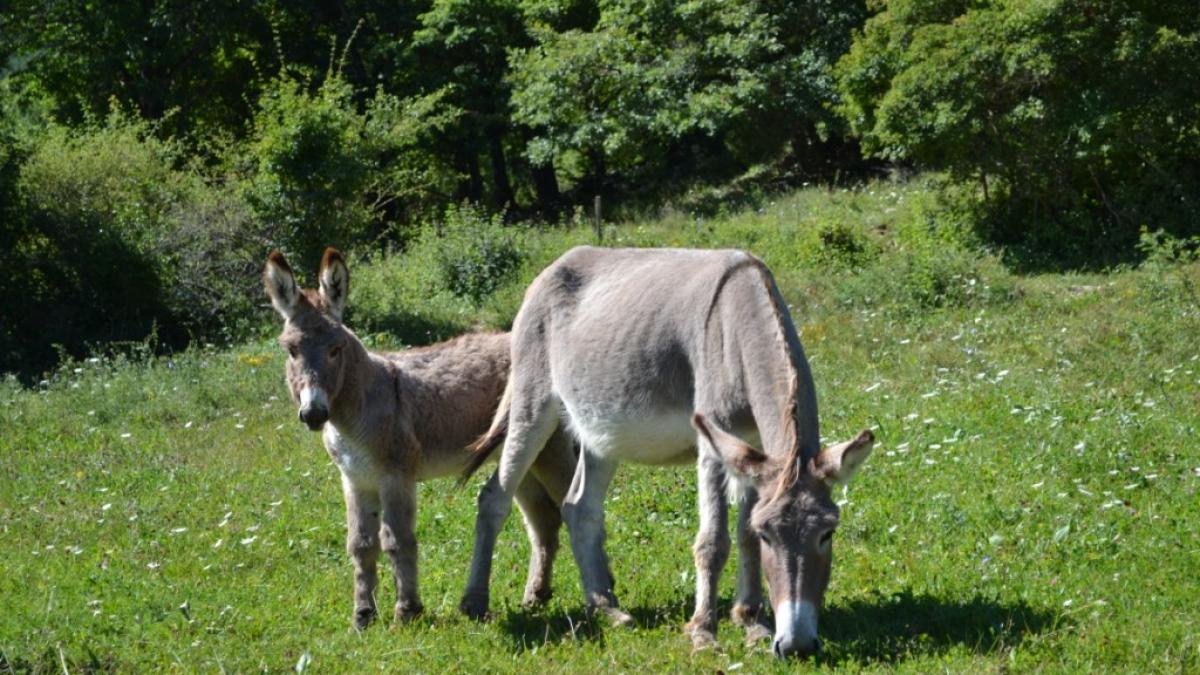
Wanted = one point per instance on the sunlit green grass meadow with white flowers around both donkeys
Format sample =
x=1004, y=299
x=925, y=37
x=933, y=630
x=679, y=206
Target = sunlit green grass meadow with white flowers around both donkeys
x=1033, y=504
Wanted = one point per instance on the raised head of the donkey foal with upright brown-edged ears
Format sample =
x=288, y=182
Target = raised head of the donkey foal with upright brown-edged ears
x=314, y=334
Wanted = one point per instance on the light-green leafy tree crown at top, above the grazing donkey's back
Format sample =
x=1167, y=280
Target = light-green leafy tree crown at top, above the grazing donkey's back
x=627, y=98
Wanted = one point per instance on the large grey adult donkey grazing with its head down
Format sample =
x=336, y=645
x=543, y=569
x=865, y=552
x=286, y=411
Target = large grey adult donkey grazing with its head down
x=680, y=356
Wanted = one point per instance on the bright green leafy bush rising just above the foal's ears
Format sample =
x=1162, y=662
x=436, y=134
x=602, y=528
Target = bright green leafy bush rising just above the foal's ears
x=323, y=171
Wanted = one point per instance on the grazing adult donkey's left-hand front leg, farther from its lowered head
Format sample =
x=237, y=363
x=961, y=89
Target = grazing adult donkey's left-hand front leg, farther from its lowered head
x=711, y=551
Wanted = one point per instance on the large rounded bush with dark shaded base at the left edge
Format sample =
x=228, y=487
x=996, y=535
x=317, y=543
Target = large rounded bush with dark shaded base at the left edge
x=121, y=241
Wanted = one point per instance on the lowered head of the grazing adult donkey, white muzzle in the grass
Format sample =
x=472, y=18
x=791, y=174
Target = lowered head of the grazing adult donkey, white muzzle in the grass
x=795, y=519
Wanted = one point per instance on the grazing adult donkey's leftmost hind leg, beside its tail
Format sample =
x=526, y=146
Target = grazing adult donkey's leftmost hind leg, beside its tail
x=525, y=440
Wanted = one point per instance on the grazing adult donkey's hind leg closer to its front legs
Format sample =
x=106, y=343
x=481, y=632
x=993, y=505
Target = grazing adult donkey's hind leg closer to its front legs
x=584, y=513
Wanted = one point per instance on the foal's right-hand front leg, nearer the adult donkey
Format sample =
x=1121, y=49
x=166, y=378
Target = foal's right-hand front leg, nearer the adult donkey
x=399, y=539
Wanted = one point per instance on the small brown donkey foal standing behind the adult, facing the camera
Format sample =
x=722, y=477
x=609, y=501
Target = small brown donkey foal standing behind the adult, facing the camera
x=392, y=420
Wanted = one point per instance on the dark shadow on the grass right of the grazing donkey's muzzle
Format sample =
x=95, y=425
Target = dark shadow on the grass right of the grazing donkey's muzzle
x=892, y=629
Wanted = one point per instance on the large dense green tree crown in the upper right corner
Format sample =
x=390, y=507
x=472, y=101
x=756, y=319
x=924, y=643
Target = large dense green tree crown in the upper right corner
x=1076, y=120
